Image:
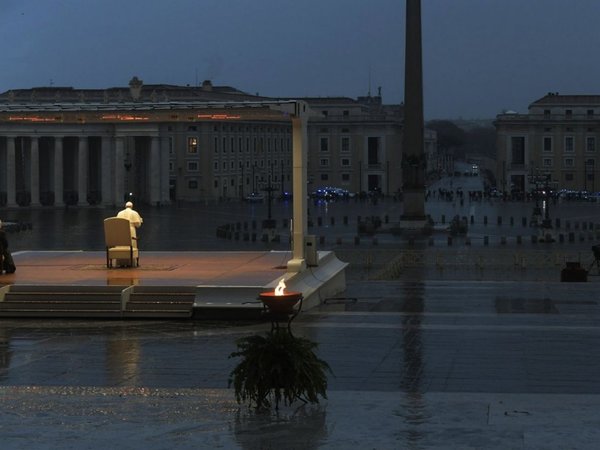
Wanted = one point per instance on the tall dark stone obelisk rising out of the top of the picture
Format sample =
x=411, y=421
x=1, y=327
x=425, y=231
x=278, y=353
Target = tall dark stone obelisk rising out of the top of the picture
x=413, y=149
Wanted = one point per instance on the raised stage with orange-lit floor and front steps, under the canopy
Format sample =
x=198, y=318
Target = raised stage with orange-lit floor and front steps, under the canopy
x=167, y=285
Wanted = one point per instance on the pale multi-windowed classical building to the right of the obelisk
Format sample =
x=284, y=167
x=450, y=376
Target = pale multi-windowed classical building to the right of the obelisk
x=556, y=141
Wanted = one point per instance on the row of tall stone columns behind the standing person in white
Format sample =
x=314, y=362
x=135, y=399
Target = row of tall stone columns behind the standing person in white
x=40, y=170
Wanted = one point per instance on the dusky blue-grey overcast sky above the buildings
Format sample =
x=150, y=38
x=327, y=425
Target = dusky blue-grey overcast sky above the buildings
x=480, y=56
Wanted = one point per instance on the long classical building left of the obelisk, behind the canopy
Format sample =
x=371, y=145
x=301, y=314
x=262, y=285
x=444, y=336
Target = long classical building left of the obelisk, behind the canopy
x=160, y=144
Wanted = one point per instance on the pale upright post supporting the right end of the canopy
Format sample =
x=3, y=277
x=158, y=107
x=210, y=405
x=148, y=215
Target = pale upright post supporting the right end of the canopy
x=299, y=179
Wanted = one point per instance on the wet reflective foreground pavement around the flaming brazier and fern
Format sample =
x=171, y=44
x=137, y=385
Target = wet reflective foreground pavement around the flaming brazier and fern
x=459, y=365
